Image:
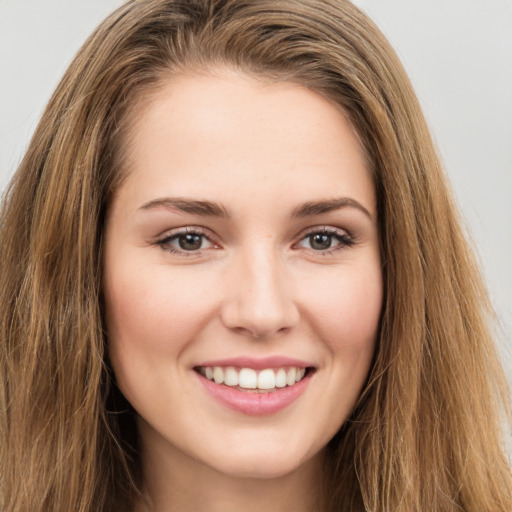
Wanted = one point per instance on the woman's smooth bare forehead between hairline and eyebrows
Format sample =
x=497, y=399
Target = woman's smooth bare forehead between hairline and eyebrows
x=198, y=133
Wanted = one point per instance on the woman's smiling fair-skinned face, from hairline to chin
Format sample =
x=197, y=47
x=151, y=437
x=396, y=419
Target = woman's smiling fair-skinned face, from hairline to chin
x=242, y=279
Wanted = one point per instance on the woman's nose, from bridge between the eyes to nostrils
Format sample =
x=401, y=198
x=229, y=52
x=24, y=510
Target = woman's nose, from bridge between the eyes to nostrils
x=260, y=300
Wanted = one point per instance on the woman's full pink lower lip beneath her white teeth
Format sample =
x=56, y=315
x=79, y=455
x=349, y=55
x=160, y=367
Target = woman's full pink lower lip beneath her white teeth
x=255, y=404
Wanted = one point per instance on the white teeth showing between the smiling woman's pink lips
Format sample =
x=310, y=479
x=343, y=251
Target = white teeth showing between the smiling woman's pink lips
x=254, y=381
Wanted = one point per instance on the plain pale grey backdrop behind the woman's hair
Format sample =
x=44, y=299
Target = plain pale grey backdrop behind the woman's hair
x=458, y=54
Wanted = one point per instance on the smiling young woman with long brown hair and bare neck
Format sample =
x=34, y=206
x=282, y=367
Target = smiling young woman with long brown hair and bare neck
x=233, y=278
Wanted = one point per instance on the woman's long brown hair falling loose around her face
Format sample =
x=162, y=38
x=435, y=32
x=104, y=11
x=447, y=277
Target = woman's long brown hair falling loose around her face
x=426, y=434
